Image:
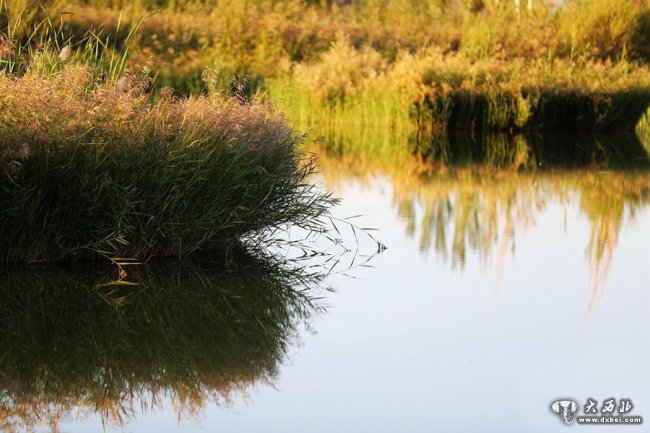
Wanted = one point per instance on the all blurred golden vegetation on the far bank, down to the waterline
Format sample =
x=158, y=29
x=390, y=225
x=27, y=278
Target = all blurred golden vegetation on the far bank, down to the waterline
x=441, y=64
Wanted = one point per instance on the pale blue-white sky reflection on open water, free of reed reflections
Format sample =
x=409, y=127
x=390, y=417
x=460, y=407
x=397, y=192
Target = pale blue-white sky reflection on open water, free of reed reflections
x=417, y=345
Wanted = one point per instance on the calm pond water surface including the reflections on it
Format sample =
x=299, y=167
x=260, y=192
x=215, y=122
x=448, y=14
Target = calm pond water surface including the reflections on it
x=500, y=292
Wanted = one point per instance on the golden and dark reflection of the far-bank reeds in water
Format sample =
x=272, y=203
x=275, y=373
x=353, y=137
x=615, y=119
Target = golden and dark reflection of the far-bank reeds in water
x=461, y=194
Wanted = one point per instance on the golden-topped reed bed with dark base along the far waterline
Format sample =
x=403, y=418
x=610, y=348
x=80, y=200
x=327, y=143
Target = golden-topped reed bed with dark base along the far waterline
x=436, y=91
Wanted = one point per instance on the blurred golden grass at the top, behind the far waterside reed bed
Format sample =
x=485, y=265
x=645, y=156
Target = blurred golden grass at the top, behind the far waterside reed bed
x=266, y=39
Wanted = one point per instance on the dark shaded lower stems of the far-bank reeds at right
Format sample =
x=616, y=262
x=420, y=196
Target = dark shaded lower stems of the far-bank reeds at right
x=535, y=110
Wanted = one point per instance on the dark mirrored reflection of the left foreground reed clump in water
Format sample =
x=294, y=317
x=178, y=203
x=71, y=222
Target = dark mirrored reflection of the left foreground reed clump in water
x=72, y=344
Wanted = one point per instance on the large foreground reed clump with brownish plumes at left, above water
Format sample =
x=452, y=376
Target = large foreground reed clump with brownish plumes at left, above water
x=91, y=167
